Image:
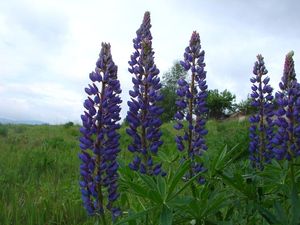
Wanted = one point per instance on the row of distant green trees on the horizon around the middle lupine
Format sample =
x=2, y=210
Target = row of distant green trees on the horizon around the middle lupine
x=221, y=104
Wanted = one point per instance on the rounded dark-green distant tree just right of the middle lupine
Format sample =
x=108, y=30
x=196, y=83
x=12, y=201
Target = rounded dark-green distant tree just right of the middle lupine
x=220, y=103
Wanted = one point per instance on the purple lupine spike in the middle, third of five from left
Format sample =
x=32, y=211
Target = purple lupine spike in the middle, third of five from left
x=192, y=105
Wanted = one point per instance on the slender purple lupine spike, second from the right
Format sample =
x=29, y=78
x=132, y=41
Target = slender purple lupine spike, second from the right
x=261, y=129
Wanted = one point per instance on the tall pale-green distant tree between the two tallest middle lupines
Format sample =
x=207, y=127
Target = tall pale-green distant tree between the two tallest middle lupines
x=169, y=82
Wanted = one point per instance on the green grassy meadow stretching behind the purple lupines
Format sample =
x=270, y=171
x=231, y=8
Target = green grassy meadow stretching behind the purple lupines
x=39, y=169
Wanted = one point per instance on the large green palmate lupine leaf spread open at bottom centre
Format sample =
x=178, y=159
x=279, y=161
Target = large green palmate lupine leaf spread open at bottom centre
x=163, y=193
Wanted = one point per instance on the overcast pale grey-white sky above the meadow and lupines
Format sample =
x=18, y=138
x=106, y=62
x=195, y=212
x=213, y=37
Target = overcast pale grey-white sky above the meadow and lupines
x=48, y=48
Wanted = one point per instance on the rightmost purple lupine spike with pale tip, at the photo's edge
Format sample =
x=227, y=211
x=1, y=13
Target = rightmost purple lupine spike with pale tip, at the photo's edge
x=287, y=138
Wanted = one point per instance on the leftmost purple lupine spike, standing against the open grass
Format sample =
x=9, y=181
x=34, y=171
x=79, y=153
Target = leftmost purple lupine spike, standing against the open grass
x=100, y=140
